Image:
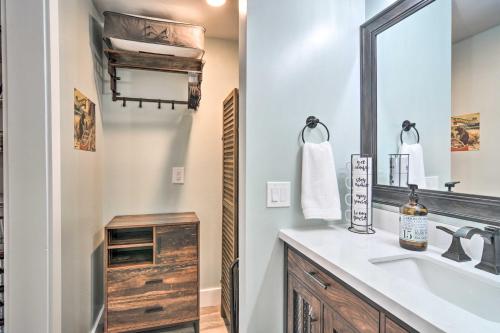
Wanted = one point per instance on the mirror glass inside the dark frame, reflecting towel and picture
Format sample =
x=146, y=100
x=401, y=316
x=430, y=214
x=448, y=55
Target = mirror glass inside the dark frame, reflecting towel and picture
x=438, y=98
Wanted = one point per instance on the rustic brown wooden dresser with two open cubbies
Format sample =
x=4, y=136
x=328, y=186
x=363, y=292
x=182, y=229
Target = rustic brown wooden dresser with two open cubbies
x=151, y=272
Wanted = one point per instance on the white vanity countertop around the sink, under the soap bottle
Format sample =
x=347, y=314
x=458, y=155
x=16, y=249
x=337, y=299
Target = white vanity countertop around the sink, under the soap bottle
x=346, y=255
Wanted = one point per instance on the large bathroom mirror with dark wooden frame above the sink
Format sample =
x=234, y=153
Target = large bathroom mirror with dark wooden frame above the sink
x=431, y=104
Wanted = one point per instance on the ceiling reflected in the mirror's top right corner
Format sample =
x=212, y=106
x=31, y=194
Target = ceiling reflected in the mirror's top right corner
x=471, y=17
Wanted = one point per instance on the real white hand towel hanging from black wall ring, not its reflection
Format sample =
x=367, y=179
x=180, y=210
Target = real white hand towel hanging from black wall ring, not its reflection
x=320, y=191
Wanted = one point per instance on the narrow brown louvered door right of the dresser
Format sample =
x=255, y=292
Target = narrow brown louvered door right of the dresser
x=229, y=198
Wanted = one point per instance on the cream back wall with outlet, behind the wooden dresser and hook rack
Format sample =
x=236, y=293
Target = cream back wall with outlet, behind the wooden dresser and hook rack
x=142, y=146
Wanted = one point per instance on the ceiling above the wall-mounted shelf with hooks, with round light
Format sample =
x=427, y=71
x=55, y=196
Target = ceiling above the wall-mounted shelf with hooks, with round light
x=220, y=22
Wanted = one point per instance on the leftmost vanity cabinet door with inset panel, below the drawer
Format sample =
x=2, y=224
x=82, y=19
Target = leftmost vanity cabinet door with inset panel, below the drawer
x=304, y=310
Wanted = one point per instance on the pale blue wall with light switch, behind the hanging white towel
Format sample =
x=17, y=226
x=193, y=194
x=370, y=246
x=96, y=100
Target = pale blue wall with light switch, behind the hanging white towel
x=301, y=60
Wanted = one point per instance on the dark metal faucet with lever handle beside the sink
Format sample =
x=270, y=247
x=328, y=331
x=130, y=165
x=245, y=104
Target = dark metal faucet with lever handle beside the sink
x=490, y=260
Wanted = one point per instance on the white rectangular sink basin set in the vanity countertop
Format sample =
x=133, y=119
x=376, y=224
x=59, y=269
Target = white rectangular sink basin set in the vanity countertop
x=464, y=289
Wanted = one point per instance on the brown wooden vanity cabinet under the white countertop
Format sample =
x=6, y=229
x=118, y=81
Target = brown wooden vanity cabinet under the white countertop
x=318, y=302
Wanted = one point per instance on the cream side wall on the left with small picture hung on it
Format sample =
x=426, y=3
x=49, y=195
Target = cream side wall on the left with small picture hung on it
x=81, y=173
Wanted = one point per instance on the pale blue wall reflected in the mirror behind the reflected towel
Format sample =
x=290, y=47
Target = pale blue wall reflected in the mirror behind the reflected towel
x=414, y=83
